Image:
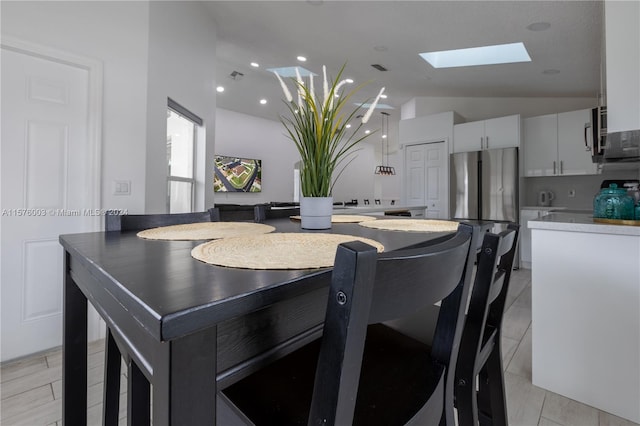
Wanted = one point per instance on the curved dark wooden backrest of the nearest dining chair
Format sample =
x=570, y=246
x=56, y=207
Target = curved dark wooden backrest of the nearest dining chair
x=368, y=288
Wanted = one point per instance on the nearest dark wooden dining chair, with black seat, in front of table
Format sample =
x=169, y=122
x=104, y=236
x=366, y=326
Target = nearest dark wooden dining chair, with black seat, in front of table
x=360, y=371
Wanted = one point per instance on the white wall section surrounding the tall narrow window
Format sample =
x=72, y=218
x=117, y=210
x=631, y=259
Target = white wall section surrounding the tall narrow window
x=182, y=56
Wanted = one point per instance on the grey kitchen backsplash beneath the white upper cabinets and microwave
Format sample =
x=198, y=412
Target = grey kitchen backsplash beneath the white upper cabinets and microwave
x=584, y=187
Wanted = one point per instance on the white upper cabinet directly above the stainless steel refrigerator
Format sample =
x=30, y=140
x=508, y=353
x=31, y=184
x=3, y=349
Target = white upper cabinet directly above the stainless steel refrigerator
x=502, y=132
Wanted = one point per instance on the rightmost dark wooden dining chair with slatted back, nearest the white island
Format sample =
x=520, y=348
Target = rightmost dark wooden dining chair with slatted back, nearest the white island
x=480, y=355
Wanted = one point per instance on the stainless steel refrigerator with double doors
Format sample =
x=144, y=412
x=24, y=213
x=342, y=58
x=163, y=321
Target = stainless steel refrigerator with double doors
x=484, y=185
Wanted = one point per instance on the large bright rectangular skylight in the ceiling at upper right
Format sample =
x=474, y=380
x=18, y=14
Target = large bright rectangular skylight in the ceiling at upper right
x=485, y=55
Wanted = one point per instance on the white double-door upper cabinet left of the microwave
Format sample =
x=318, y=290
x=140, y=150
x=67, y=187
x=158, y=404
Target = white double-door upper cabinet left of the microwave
x=554, y=145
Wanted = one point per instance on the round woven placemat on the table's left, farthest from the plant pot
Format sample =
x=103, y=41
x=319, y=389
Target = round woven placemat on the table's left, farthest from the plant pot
x=205, y=231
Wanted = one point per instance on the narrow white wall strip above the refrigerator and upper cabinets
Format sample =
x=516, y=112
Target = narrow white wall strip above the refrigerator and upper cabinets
x=473, y=109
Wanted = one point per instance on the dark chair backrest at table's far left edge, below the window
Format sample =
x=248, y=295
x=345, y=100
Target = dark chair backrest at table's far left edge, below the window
x=138, y=222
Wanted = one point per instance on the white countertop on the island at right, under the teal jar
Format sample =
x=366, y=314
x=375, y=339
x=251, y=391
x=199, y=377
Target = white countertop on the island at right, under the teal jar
x=581, y=222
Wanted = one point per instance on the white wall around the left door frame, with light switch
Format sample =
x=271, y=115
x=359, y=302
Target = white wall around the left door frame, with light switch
x=115, y=33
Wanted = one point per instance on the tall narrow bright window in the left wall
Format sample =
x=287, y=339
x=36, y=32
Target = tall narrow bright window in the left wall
x=182, y=128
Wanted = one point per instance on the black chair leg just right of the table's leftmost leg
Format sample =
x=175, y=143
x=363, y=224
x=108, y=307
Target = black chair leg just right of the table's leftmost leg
x=111, y=396
